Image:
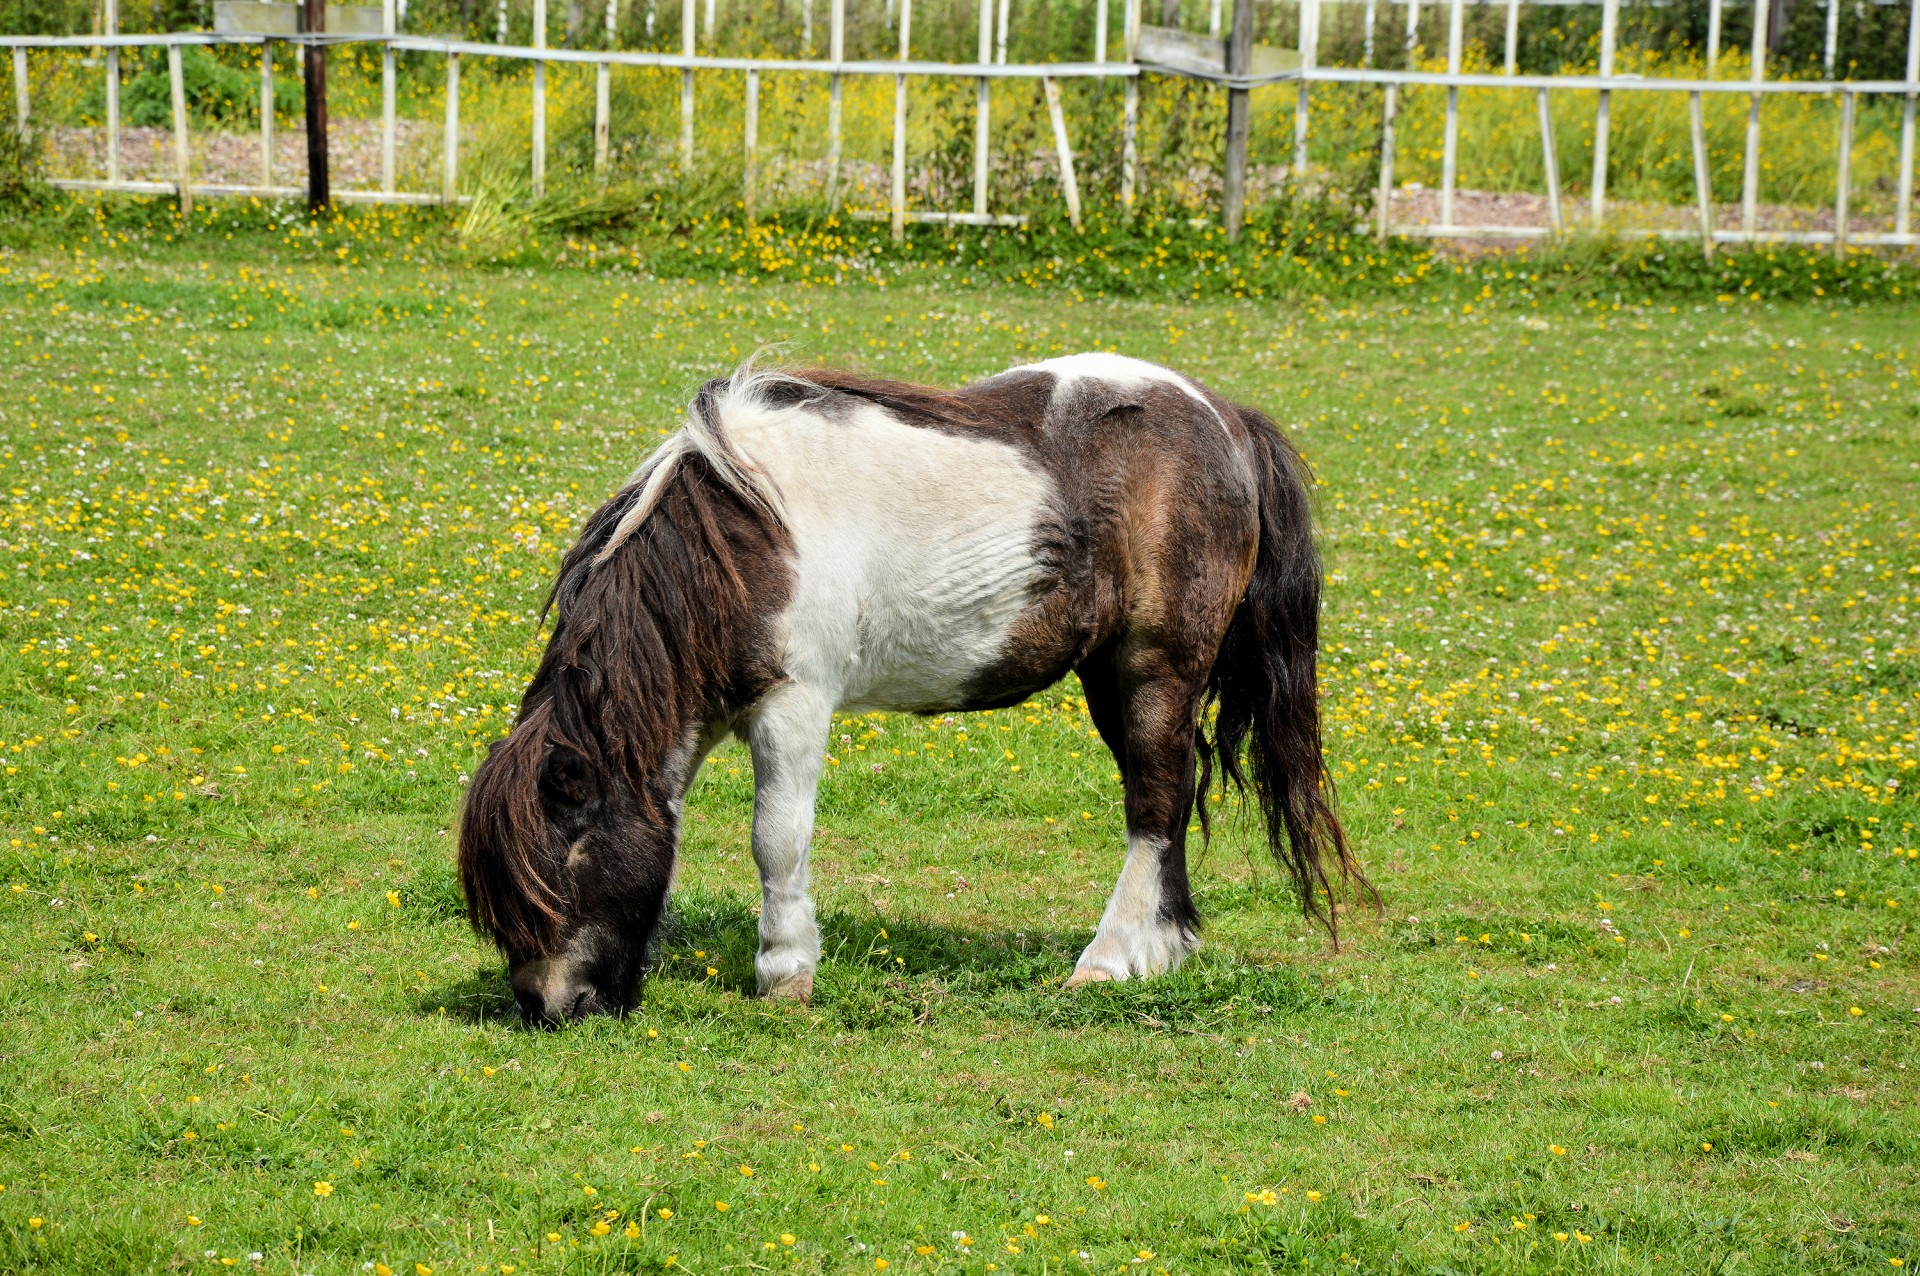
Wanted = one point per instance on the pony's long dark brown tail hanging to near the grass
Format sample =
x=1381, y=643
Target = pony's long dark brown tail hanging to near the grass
x=1266, y=684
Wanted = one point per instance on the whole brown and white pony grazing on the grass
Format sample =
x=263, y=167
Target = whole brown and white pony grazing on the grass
x=815, y=542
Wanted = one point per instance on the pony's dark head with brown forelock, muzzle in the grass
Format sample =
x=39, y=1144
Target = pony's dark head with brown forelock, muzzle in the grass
x=567, y=868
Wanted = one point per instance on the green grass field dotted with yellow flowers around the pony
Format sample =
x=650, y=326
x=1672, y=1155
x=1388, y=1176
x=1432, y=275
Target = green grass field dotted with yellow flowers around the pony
x=1623, y=690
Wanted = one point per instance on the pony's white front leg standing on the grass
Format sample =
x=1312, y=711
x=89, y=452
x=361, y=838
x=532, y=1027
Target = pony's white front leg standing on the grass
x=788, y=740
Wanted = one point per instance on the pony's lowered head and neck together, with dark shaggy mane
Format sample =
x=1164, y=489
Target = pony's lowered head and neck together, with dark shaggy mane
x=569, y=832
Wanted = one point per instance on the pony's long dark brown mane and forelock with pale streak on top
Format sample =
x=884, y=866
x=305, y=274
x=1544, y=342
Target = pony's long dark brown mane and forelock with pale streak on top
x=660, y=628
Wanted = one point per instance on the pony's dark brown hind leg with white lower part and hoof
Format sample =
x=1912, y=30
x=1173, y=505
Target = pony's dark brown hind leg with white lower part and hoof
x=1151, y=922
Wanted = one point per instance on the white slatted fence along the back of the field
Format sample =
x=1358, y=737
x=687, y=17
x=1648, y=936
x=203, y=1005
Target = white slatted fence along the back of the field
x=992, y=66
